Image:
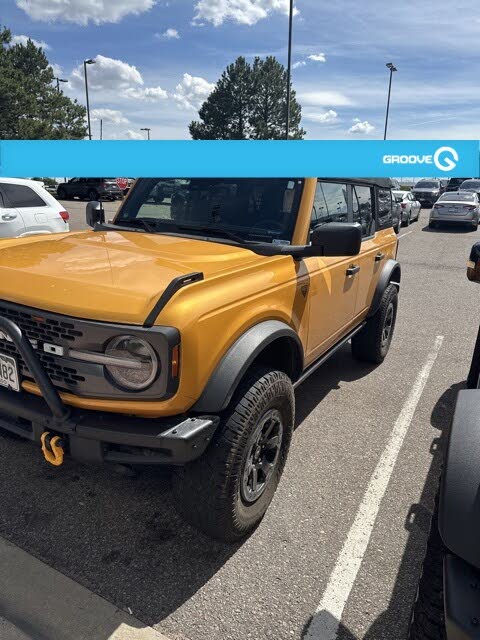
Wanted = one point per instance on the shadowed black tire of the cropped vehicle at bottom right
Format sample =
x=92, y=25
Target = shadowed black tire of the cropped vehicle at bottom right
x=428, y=622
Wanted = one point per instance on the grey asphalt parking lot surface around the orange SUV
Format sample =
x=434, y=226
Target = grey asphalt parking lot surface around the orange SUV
x=367, y=440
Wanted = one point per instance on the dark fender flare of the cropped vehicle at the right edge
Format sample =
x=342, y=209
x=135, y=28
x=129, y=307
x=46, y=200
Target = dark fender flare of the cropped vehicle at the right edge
x=459, y=511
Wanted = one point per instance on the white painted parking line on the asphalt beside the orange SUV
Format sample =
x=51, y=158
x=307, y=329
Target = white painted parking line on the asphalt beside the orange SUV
x=326, y=621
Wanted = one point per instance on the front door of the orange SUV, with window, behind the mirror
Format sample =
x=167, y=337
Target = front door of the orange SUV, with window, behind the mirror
x=333, y=281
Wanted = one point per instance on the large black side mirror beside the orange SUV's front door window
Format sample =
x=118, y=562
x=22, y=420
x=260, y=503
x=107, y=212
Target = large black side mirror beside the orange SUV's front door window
x=336, y=239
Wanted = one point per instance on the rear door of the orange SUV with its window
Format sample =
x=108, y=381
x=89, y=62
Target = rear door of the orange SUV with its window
x=378, y=239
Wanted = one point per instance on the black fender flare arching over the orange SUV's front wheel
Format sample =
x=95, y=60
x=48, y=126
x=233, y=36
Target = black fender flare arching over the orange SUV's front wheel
x=240, y=356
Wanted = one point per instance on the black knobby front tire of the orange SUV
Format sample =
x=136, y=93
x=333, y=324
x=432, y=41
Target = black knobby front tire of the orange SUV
x=208, y=491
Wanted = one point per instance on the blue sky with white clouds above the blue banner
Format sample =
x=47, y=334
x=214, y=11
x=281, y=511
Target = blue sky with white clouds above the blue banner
x=157, y=60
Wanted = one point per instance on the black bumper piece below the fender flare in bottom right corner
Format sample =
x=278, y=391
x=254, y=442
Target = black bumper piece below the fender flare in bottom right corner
x=462, y=599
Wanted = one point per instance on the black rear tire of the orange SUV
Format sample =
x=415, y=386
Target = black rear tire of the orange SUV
x=369, y=344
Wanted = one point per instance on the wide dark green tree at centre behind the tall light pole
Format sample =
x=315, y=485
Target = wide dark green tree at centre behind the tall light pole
x=249, y=102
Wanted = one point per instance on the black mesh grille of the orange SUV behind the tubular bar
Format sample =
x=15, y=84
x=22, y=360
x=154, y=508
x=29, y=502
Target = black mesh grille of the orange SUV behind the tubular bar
x=41, y=328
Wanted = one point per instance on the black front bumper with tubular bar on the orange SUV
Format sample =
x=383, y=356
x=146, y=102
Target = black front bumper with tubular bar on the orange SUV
x=92, y=436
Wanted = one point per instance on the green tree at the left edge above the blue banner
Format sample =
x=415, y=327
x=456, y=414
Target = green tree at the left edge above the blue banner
x=30, y=106
